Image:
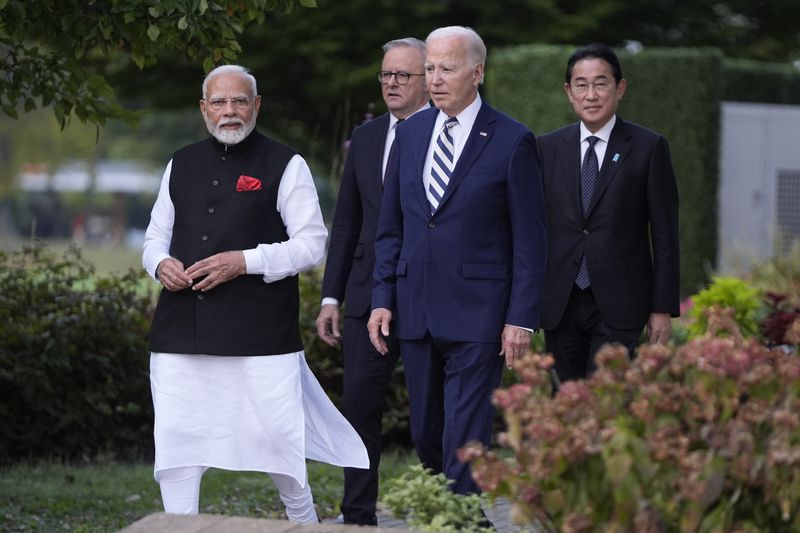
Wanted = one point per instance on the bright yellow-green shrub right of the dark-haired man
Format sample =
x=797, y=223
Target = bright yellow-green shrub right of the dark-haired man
x=731, y=293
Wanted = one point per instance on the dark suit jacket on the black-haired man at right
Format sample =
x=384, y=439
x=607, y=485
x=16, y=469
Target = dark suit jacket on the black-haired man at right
x=630, y=235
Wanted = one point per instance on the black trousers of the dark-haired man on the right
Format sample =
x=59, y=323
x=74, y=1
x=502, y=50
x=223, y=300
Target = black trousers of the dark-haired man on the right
x=580, y=335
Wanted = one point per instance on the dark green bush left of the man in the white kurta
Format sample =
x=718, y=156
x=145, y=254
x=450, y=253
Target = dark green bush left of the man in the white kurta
x=73, y=359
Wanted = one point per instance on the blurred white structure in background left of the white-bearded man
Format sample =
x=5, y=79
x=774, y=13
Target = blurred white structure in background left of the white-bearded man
x=109, y=176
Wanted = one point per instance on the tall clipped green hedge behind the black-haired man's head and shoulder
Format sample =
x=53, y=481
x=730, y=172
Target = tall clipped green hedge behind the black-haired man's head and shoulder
x=673, y=91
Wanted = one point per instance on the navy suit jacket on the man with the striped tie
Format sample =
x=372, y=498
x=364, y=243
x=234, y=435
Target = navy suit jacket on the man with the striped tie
x=478, y=262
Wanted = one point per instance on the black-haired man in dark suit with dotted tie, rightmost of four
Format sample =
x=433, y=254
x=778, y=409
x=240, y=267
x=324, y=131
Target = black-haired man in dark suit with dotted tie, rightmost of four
x=613, y=250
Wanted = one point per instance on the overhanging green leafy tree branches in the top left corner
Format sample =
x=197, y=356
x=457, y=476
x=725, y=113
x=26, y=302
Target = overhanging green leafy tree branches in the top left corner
x=48, y=47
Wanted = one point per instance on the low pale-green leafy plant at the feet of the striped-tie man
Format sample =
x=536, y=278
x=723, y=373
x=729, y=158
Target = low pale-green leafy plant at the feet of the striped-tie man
x=426, y=503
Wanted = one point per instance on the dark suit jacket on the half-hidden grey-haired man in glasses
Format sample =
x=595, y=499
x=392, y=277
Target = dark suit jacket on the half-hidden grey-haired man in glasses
x=351, y=252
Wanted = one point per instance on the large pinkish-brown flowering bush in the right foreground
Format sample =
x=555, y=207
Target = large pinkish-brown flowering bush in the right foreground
x=705, y=437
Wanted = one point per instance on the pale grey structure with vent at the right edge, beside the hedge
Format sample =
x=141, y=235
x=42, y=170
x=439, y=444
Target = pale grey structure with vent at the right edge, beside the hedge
x=759, y=189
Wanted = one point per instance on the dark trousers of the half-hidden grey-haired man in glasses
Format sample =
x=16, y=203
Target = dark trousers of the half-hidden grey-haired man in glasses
x=367, y=375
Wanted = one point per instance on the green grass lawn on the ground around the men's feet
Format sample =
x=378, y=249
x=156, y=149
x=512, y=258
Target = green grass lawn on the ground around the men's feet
x=107, y=497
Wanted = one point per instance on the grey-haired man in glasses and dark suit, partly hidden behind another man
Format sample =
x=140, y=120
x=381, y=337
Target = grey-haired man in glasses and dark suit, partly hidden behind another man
x=351, y=259
